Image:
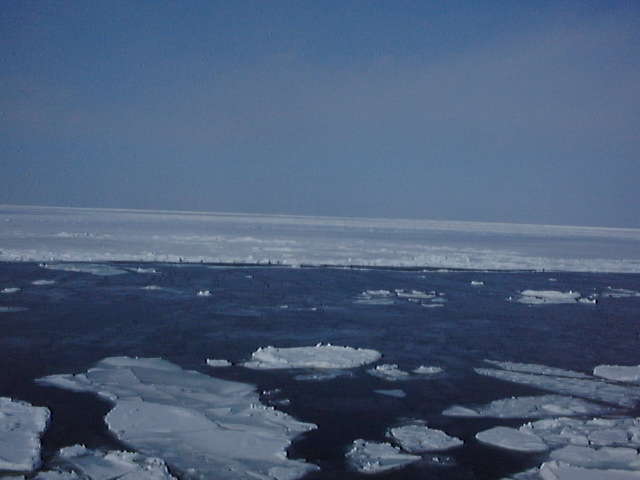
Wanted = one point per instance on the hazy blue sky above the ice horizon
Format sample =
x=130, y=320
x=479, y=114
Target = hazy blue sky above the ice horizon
x=516, y=111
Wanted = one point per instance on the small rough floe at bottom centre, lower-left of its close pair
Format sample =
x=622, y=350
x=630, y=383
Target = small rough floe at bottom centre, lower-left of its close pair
x=375, y=457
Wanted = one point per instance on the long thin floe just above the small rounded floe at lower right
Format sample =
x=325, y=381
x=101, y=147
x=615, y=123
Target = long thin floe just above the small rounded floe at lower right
x=530, y=407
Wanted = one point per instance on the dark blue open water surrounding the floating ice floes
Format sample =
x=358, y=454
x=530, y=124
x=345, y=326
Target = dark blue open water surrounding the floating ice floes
x=82, y=318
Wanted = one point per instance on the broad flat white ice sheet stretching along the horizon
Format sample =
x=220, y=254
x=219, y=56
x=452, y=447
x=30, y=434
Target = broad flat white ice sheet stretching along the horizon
x=68, y=234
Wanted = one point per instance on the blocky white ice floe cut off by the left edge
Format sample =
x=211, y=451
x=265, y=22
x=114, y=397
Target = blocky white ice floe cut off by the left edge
x=21, y=425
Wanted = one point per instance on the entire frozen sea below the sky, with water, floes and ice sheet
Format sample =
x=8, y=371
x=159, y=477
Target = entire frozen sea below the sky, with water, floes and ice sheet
x=112, y=356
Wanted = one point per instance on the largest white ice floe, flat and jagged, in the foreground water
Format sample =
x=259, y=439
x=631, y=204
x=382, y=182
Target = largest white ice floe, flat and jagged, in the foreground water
x=199, y=425
